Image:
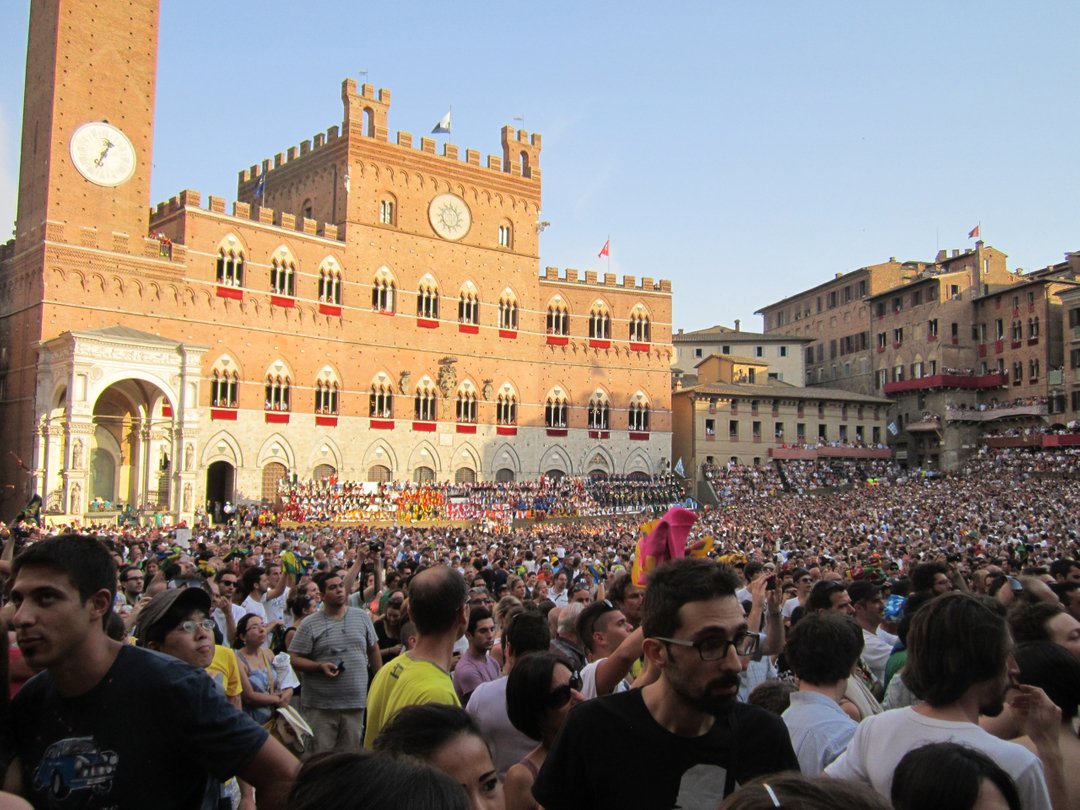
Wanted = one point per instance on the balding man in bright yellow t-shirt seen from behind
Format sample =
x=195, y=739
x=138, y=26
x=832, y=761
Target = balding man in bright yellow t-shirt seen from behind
x=439, y=610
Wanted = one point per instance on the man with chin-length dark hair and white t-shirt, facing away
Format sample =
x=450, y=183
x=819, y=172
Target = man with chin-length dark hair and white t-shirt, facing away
x=961, y=664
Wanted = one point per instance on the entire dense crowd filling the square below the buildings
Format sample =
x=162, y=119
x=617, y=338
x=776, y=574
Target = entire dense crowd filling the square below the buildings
x=838, y=636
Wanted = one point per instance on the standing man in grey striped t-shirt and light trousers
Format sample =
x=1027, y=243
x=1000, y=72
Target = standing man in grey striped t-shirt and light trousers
x=333, y=651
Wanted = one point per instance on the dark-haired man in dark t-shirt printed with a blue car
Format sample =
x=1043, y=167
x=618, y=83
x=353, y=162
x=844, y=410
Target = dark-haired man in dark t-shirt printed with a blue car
x=107, y=725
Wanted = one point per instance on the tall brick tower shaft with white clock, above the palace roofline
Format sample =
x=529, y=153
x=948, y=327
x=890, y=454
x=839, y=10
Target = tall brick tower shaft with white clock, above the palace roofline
x=88, y=120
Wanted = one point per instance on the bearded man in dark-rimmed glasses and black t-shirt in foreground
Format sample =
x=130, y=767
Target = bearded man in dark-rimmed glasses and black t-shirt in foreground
x=687, y=738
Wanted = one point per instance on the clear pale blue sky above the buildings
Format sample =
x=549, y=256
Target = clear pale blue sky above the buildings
x=745, y=151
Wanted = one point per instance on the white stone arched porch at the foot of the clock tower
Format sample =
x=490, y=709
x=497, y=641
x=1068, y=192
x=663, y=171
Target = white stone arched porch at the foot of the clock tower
x=118, y=424
